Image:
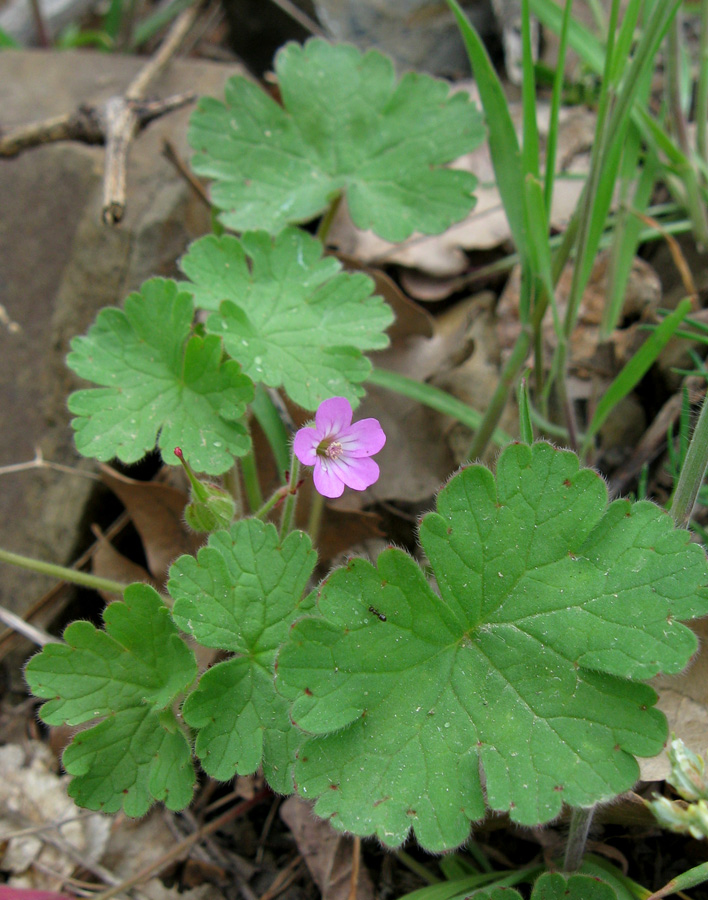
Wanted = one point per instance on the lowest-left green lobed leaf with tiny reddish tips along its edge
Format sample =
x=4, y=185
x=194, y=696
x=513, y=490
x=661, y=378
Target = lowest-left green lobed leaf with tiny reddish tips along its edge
x=128, y=675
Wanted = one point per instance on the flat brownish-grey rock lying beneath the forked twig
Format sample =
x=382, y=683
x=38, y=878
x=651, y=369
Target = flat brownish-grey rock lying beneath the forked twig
x=59, y=265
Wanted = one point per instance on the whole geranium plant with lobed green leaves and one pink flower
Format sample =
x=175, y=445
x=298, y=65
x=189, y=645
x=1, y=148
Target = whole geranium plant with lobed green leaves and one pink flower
x=508, y=673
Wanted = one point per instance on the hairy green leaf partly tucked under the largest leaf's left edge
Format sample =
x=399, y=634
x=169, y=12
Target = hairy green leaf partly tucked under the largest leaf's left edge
x=242, y=593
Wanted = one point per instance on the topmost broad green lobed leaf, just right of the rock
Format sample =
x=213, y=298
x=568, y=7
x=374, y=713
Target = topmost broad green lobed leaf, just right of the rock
x=347, y=126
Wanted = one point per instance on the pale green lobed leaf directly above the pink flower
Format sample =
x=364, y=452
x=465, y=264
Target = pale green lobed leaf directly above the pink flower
x=289, y=316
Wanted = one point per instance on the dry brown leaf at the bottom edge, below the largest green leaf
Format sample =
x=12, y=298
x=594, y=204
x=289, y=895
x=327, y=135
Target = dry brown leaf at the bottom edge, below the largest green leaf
x=327, y=853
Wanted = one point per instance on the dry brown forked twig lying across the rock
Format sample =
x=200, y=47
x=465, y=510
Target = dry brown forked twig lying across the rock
x=114, y=123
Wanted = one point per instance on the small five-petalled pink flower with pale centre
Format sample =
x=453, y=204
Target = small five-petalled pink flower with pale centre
x=338, y=450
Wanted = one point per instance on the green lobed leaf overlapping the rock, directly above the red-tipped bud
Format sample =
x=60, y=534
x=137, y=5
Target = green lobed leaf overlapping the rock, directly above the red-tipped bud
x=158, y=378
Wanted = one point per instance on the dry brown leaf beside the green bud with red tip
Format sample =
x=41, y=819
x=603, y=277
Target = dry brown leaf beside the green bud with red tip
x=157, y=512
